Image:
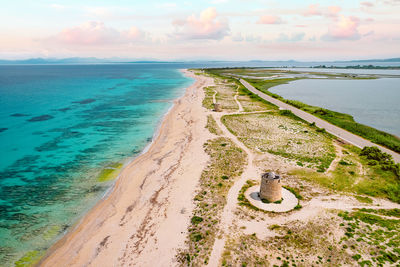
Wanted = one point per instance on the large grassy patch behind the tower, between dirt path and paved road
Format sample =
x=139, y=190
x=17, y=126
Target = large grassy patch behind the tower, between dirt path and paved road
x=283, y=135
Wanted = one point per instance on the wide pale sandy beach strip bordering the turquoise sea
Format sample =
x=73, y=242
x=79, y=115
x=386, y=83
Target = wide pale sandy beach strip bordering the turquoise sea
x=145, y=218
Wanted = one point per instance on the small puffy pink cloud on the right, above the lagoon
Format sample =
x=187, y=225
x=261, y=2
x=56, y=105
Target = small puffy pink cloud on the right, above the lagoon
x=345, y=28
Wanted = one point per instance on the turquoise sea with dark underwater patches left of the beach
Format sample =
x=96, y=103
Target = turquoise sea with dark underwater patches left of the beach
x=60, y=125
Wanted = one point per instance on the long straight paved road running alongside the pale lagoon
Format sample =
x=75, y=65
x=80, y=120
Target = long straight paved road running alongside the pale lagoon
x=339, y=132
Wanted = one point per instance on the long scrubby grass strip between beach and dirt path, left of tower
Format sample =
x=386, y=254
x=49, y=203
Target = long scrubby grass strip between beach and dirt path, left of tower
x=226, y=164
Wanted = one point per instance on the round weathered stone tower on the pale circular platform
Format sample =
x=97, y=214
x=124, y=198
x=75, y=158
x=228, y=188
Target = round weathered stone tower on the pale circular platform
x=271, y=187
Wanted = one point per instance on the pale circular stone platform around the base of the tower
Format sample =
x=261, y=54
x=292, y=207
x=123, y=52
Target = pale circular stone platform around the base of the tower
x=289, y=200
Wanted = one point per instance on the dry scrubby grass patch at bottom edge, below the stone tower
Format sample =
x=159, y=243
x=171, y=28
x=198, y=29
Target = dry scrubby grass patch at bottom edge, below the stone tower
x=295, y=244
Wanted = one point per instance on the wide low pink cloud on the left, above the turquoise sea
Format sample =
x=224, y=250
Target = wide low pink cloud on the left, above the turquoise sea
x=96, y=33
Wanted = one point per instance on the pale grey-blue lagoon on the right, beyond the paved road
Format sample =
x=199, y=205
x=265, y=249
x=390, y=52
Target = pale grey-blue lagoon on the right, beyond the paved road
x=371, y=102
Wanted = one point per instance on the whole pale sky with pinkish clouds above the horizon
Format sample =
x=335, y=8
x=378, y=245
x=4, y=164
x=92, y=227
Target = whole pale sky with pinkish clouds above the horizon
x=201, y=30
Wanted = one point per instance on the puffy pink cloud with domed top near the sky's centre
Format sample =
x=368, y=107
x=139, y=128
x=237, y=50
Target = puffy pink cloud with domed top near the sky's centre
x=206, y=26
